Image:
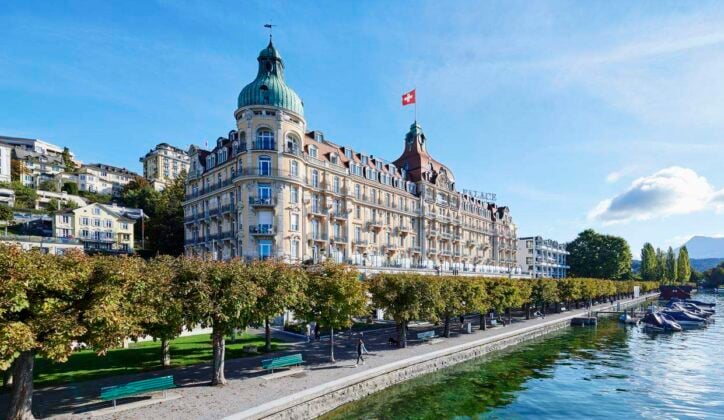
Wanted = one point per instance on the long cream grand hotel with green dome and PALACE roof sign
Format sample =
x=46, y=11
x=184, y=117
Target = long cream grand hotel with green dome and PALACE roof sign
x=271, y=188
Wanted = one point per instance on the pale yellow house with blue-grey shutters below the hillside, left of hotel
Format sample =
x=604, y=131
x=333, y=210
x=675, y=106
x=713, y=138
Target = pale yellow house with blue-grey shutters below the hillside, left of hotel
x=100, y=227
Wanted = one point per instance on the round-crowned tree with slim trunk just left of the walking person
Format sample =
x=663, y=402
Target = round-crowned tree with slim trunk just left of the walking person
x=333, y=294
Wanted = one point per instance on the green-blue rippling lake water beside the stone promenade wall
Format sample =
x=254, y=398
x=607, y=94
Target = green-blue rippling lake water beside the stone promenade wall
x=609, y=371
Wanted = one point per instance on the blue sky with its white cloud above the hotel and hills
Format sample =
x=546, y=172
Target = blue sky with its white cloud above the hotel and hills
x=577, y=114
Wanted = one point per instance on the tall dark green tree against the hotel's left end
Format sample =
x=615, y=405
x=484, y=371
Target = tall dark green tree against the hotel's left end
x=165, y=228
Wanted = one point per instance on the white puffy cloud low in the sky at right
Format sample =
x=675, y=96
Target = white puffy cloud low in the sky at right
x=670, y=191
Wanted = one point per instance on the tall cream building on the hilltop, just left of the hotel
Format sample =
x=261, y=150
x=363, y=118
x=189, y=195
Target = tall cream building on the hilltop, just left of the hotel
x=163, y=164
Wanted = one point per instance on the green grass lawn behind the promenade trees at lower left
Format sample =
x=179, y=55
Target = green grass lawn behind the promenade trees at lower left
x=86, y=365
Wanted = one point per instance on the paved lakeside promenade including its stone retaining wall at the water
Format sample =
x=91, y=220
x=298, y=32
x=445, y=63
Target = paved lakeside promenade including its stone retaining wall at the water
x=320, y=387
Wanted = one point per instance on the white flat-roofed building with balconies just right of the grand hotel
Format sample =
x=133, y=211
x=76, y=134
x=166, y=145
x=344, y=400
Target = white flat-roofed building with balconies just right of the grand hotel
x=542, y=258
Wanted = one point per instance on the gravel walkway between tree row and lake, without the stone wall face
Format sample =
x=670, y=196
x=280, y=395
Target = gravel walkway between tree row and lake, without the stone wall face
x=247, y=389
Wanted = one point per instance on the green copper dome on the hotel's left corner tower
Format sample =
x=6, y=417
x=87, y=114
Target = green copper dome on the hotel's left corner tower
x=269, y=87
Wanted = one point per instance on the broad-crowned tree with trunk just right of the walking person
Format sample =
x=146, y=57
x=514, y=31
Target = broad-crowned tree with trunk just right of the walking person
x=405, y=297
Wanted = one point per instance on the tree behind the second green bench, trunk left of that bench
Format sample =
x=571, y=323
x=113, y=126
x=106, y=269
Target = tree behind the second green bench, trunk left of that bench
x=281, y=287
